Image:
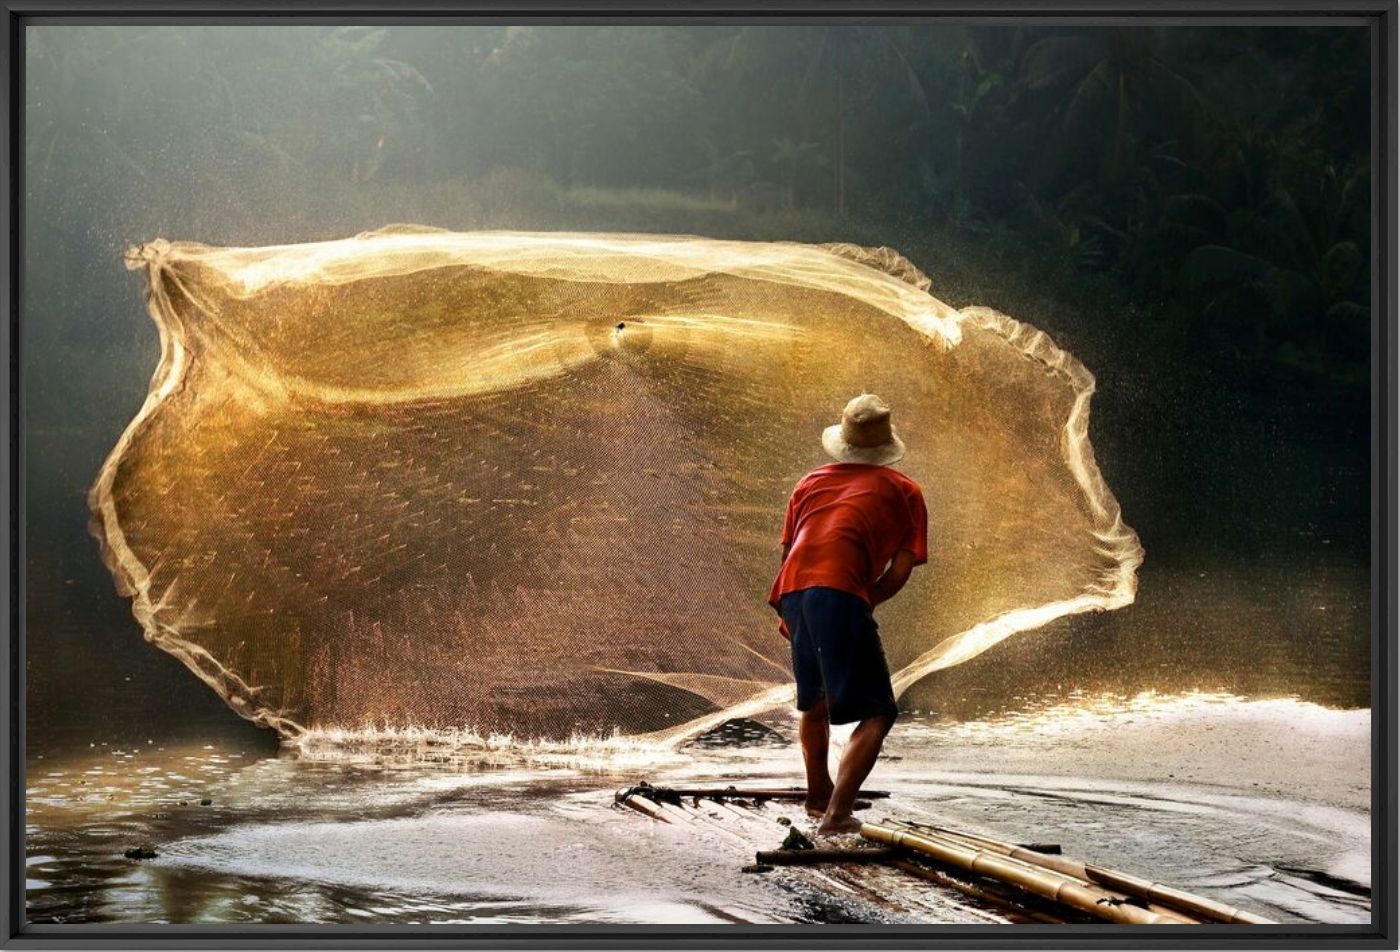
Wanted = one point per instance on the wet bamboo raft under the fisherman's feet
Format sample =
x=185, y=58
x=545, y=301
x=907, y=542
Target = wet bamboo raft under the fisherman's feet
x=1023, y=883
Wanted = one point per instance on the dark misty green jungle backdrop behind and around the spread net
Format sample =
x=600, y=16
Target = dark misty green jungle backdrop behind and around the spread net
x=1185, y=209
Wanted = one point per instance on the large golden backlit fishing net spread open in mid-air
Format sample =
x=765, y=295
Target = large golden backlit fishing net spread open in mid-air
x=534, y=484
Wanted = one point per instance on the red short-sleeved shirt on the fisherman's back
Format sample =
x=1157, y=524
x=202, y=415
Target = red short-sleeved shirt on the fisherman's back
x=846, y=521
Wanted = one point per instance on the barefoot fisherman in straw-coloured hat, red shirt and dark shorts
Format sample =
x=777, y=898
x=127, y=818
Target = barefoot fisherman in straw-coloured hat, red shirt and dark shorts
x=853, y=534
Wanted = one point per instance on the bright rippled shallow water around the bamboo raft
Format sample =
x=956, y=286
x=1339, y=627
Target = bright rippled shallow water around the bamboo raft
x=1263, y=804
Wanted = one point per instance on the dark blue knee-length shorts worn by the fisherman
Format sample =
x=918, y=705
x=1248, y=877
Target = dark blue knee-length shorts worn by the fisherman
x=838, y=656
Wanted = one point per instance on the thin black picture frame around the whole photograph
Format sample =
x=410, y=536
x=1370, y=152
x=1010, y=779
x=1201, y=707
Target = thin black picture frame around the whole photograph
x=1380, y=16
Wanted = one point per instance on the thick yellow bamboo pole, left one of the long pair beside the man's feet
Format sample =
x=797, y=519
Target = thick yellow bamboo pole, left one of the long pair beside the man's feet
x=1039, y=881
